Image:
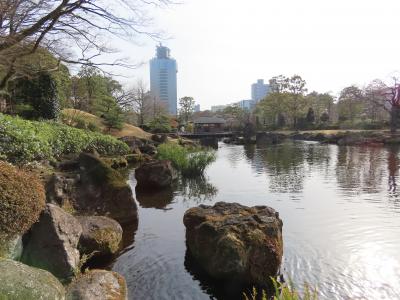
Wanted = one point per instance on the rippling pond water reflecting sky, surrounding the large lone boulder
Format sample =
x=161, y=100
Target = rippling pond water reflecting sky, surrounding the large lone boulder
x=340, y=208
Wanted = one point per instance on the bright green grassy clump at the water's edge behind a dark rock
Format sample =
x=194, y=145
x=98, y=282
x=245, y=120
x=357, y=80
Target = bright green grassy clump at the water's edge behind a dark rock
x=191, y=162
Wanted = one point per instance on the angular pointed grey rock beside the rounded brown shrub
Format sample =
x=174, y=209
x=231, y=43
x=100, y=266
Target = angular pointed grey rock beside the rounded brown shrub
x=52, y=243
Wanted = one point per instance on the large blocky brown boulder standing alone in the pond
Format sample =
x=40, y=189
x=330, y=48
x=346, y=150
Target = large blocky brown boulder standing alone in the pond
x=235, y=243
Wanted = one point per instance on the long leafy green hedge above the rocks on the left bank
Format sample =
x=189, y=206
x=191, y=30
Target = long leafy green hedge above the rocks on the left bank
x=23, y=141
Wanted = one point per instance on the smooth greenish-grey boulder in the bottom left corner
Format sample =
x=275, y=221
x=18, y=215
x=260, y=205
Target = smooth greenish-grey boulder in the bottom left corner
x=19, y=281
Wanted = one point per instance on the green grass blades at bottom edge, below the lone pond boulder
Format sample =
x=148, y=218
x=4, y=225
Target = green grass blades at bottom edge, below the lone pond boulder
x=283, y=292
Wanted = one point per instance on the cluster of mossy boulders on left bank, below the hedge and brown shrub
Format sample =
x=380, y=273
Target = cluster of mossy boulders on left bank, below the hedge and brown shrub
x=87, y=201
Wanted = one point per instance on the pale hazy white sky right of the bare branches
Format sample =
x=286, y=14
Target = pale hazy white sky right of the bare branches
x=223, y=46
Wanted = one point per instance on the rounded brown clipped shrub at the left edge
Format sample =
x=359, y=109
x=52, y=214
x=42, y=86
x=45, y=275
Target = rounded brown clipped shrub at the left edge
x=22, y=198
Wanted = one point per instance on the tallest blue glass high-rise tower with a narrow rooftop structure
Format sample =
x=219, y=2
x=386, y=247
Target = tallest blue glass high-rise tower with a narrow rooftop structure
x=163, y=71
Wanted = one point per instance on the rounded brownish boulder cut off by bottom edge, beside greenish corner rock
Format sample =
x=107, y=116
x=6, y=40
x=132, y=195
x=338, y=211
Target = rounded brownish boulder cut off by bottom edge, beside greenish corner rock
x=98, y=285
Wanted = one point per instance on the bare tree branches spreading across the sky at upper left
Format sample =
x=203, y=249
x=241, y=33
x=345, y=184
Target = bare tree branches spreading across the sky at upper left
x=61, y=25
